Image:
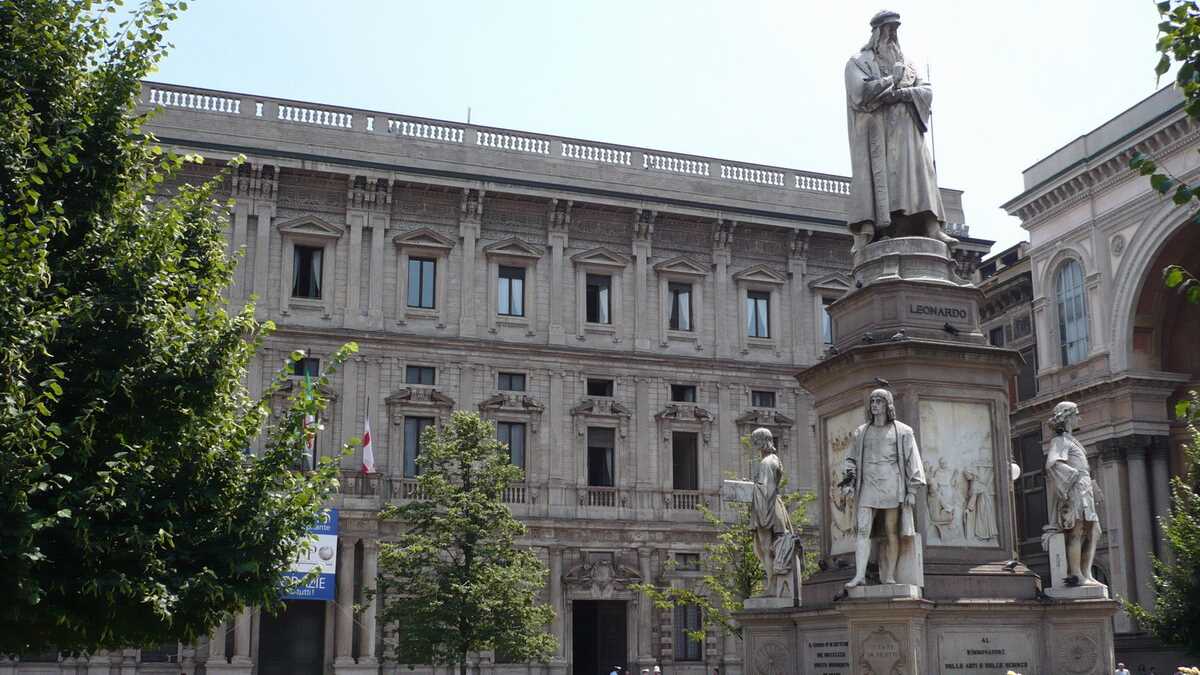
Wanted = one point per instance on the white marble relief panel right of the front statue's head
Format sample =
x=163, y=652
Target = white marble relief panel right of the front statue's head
x=957, y=449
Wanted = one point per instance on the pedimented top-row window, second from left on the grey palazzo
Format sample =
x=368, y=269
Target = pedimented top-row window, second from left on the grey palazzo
x=422, y=276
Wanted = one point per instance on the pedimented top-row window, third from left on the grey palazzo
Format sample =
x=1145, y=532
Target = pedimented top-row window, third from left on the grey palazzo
x=513, y=284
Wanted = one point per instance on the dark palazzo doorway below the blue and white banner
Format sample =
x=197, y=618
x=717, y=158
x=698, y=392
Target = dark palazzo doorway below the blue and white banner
x=293, y=643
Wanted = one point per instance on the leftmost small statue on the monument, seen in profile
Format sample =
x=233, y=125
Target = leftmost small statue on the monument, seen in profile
x=775, y=542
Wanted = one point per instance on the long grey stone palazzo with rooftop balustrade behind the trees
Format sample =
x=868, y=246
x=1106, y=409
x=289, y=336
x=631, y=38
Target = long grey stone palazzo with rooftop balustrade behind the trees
x=623, y=315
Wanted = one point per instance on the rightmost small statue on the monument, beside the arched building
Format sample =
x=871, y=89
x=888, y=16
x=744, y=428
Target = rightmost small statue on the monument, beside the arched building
x=1073, y=497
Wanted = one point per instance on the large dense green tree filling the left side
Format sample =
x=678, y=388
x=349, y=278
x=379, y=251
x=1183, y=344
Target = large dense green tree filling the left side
x=130, y=513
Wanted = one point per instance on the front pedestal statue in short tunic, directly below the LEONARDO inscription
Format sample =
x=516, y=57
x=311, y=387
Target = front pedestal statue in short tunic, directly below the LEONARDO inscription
x=884, y=474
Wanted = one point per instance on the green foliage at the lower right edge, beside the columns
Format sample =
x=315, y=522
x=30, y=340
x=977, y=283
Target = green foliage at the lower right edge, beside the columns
x=1175, y=618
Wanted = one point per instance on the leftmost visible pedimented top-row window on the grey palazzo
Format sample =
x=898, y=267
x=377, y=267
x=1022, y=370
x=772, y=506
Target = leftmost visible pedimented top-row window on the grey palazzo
x=310, y=258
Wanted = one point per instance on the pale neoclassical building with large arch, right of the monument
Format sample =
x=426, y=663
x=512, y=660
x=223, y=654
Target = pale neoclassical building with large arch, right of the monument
x=1112, y=338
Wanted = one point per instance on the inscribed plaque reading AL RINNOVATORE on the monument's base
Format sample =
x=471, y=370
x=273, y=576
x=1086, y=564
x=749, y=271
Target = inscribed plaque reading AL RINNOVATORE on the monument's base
x=994, y=652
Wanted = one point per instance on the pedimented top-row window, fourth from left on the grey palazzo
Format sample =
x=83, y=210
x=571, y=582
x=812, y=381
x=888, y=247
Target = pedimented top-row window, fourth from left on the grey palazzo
x=598, y=283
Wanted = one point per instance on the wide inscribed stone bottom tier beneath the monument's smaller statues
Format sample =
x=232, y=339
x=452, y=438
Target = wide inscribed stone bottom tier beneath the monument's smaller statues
x=917, y=637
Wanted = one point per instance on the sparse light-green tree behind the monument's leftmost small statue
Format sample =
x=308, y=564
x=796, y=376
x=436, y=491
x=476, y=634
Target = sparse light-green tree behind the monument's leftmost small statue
x=731, y=571
